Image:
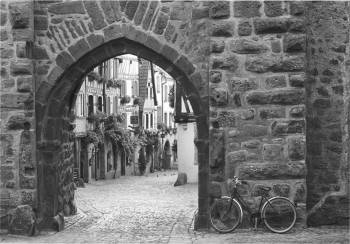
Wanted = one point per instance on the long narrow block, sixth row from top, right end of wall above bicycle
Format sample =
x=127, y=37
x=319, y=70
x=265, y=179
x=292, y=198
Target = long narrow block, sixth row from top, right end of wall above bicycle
x=277, y=97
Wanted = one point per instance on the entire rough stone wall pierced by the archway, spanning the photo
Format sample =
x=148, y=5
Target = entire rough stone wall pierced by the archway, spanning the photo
x=269, y=104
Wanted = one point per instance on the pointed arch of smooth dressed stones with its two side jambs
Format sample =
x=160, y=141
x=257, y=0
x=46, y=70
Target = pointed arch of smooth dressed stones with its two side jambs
x=54, y=98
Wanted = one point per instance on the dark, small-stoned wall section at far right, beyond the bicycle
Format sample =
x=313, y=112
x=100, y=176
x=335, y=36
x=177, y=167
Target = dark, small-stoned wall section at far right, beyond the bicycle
x=327, y=115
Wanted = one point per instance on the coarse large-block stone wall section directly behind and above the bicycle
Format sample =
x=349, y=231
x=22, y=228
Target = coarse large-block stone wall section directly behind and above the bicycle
x=257, y=97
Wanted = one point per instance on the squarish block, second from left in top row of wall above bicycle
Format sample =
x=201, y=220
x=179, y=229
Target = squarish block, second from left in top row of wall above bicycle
x=246, y=9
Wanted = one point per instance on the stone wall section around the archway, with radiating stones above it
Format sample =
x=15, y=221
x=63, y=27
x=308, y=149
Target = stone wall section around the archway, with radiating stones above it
x=72, y=37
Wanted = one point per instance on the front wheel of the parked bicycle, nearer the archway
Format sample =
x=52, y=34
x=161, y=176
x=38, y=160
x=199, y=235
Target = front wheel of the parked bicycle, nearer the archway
x=225, y=214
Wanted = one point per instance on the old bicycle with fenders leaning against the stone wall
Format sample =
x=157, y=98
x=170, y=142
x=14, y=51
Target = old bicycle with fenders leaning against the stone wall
x=277, y=213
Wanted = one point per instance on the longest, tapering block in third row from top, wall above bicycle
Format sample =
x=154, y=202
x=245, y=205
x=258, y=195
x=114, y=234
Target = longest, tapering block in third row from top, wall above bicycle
x=247, y=46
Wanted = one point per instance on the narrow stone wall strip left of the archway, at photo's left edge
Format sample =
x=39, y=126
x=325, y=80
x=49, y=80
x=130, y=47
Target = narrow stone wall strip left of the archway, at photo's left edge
x=18, y=166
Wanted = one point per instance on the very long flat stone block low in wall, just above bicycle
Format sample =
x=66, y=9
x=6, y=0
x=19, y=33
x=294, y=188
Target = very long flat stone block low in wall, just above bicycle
x=264, y=171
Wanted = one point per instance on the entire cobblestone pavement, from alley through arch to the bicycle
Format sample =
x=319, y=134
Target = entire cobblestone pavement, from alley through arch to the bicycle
x=148, y=209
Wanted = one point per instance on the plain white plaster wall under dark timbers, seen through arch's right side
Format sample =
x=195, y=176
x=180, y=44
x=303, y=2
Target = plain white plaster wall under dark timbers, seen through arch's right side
x=186, y=151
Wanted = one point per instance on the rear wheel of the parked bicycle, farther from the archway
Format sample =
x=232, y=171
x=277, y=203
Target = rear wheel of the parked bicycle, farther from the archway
x=279, y=214
